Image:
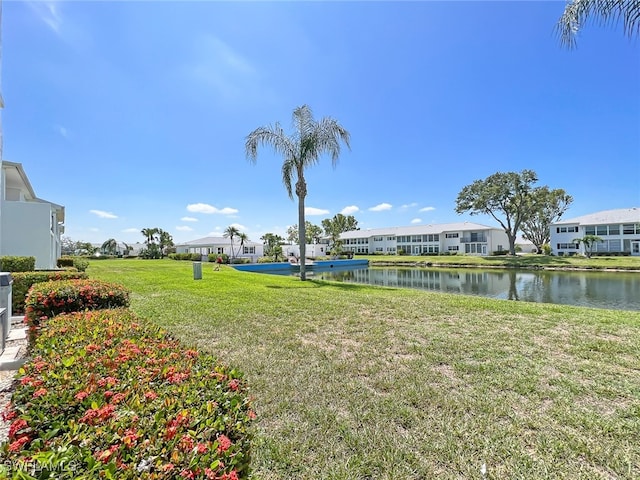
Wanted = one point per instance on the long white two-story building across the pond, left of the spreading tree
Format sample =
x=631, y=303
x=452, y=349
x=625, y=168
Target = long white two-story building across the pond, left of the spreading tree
x=461, y=237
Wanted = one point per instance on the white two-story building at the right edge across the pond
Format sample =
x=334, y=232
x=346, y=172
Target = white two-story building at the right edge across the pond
x=619, y=231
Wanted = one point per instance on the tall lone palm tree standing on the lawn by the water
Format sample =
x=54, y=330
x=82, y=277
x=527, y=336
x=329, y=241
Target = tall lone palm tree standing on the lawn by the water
x=300, y=150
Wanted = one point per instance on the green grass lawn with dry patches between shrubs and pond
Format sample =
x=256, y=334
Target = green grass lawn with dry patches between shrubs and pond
x=360, y=382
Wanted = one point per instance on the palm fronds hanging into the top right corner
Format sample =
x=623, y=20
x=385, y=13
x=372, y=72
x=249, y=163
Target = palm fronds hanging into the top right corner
x=577, y=12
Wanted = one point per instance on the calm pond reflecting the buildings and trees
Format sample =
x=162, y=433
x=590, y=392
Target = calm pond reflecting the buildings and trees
x=610, y=290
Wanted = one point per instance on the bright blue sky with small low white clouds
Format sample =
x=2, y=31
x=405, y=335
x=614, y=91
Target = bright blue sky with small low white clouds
x=134, y=114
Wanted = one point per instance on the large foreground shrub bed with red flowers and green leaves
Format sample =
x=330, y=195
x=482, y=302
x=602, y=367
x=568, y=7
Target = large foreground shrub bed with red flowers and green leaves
x=107, y=395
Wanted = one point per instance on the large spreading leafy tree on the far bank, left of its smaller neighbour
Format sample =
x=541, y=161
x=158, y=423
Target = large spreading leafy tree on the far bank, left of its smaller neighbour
x=502, y=194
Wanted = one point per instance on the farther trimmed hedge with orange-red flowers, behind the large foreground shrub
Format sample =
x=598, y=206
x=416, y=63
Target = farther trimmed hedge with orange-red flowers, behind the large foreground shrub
x=48, y=299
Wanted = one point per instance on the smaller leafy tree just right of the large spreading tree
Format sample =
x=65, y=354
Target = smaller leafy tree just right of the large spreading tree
x=548, y=207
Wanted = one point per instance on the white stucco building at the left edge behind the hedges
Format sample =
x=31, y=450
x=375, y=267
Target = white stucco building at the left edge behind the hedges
x=29, y=226
